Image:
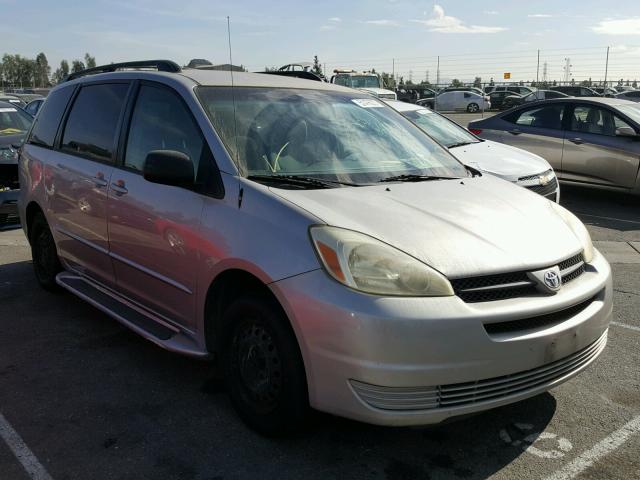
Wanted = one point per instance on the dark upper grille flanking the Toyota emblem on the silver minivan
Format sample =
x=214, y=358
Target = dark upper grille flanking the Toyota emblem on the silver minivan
x=502, y=286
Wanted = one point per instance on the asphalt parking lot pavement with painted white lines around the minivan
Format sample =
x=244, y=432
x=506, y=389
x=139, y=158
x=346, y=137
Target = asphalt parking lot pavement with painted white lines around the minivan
x=82, y=397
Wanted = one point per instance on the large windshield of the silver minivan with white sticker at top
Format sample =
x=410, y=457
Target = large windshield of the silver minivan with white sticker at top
x=339, y=136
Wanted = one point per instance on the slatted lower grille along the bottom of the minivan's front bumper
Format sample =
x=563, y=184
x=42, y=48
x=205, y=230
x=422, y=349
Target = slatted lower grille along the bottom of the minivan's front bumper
x=483, y=391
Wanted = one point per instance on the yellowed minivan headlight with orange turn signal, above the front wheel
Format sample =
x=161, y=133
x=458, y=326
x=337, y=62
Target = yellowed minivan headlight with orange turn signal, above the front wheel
x=369, y=265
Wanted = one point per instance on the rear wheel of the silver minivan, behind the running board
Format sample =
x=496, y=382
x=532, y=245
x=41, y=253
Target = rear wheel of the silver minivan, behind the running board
x=46, y=264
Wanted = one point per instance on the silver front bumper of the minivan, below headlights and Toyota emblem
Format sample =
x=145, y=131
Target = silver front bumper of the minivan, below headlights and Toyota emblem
x=361, y=351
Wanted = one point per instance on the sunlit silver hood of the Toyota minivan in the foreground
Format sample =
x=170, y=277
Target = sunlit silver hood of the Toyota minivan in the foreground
x=466, y=227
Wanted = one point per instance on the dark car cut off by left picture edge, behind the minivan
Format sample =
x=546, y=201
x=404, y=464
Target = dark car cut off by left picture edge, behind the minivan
x=14, y=124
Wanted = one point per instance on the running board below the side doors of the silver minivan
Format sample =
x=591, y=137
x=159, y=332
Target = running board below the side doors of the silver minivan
x=165, y=335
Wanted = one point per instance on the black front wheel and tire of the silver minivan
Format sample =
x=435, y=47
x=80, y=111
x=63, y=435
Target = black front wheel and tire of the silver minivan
x=263, y=367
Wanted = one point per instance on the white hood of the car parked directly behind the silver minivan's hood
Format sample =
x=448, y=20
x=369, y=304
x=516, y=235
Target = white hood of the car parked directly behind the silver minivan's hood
x=501, y=160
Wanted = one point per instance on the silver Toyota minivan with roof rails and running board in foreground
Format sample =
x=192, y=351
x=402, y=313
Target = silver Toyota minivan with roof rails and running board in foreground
x=320, y=246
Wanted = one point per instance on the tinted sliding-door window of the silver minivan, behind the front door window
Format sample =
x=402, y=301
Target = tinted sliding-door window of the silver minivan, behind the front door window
x=92, y=123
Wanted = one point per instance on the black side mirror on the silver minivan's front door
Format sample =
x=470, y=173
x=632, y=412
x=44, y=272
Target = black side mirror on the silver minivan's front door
x=169, y=167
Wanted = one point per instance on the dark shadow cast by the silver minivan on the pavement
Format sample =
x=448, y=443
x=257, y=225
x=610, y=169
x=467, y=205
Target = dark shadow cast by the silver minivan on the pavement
x=117, y=405
